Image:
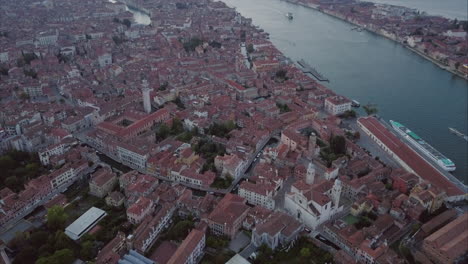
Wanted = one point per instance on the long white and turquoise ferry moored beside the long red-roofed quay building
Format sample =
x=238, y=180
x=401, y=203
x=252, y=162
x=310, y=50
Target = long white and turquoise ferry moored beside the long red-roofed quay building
x=422, y=145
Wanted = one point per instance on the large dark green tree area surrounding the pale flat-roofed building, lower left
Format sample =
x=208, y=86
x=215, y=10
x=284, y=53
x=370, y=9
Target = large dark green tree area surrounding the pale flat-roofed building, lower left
x=49, y=244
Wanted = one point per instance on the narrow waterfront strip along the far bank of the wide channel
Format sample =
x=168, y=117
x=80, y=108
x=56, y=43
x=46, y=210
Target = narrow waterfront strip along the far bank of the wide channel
x=425, y=56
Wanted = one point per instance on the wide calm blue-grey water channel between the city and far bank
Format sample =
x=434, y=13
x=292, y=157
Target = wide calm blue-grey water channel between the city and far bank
x=372, y=69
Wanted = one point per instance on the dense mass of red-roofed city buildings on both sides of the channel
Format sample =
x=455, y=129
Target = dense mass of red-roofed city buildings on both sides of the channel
x=184, y=104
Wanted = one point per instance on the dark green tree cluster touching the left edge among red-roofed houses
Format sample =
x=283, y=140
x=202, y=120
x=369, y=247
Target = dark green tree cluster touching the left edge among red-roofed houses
x=18, y=168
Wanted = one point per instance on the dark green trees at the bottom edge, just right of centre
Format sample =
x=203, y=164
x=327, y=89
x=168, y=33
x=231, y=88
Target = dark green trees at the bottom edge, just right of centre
x=304, y=251
